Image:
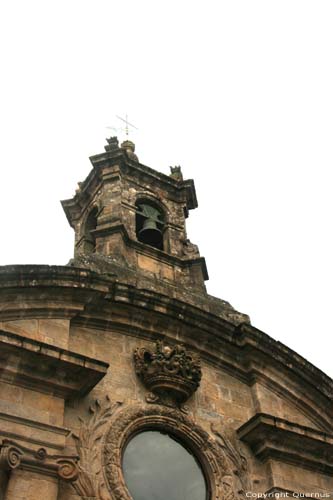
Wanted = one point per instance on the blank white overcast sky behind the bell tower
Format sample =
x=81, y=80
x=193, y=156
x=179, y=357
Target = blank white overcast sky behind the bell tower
x=239, y=93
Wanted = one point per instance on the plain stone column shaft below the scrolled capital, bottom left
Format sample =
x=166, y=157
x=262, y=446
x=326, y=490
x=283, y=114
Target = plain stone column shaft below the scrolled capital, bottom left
x=25, y=485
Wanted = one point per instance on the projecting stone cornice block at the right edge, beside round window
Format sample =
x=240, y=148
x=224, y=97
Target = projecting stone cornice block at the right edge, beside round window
x=275, y=438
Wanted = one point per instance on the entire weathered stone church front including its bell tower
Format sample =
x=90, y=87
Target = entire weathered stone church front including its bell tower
x=121, y=378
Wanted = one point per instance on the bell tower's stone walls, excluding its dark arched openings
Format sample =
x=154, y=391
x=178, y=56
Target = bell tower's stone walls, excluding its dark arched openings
x=113, y=189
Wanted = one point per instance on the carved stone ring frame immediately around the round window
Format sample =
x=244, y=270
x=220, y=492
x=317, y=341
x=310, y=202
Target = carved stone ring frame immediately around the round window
x=134, y=419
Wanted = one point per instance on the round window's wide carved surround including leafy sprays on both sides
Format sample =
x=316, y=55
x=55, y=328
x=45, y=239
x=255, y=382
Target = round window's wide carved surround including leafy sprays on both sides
x=103, y=437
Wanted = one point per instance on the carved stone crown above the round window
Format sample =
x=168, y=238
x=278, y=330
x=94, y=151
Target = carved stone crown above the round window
x=171, y=373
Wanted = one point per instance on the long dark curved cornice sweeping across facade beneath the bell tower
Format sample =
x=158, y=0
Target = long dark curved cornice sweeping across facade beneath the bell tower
x=213, y=326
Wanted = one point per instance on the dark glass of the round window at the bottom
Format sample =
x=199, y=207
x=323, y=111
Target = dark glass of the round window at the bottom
x=156, y=467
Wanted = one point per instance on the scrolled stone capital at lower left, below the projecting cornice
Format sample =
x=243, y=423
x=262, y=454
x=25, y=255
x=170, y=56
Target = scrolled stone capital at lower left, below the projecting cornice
x=13, y=456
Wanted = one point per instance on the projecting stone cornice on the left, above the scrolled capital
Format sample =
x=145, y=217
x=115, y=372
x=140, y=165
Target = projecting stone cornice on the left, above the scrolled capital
x=46, y=368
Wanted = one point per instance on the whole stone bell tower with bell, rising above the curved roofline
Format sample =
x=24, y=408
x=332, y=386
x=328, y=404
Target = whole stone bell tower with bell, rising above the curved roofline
x=130, y=219
